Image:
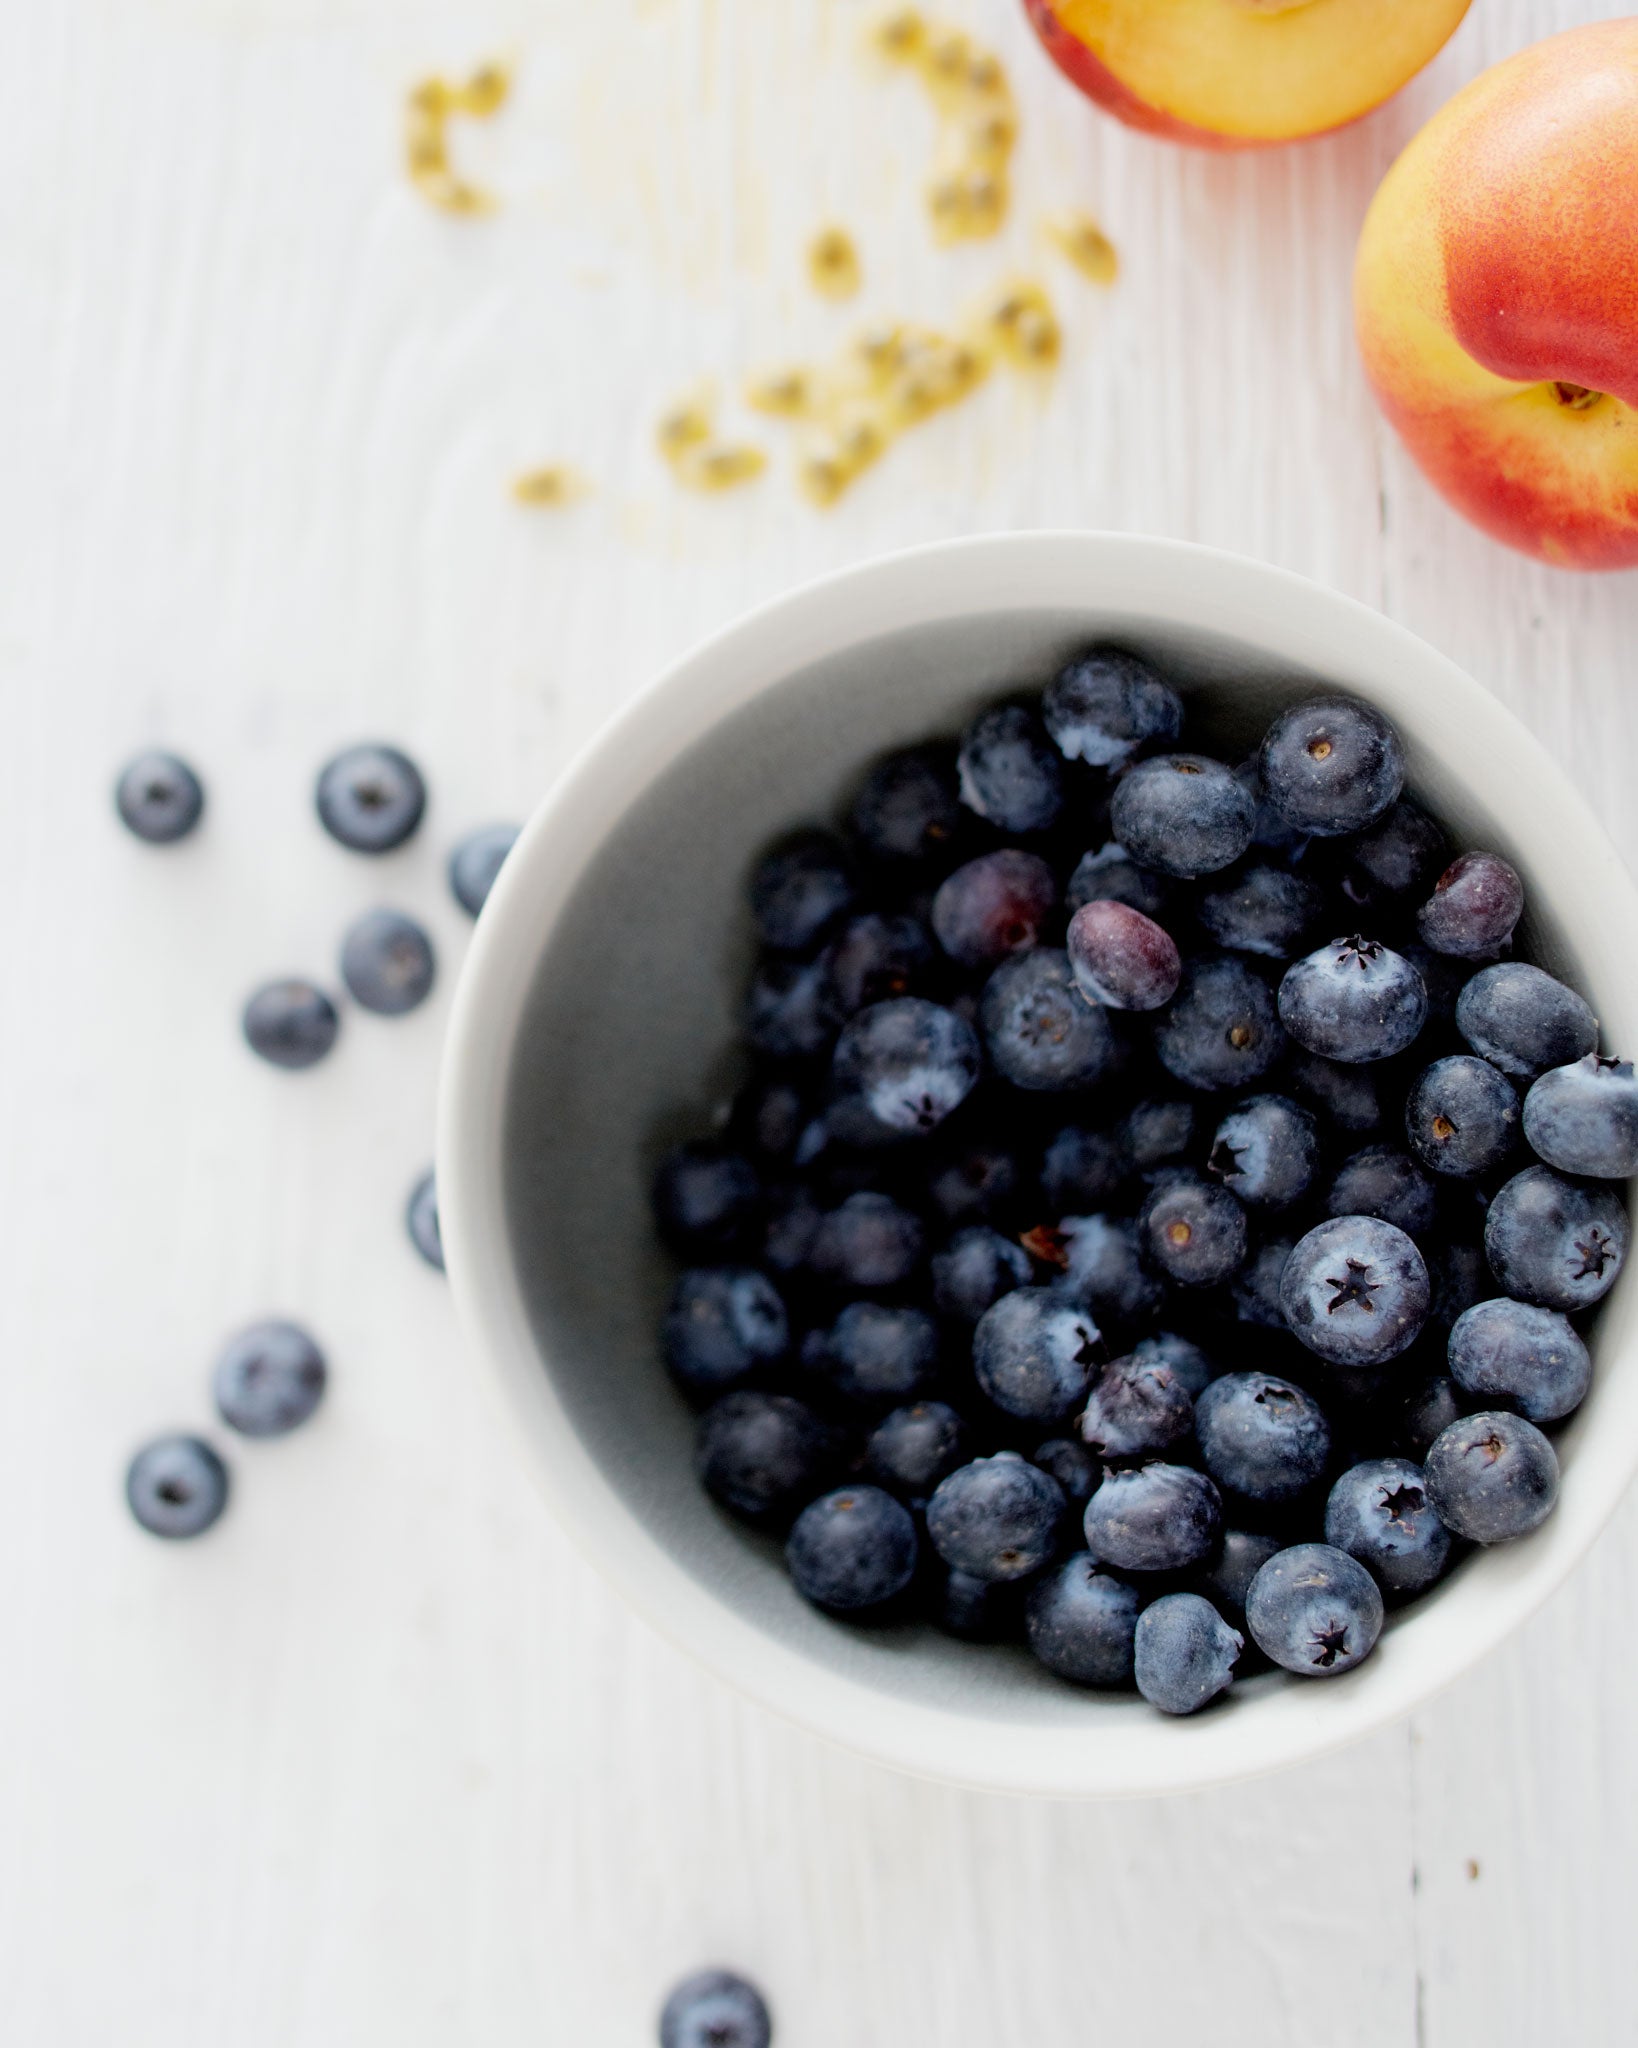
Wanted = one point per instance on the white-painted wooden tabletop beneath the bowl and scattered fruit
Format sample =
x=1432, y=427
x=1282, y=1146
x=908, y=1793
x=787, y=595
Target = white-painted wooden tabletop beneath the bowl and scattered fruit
x=382, y=1760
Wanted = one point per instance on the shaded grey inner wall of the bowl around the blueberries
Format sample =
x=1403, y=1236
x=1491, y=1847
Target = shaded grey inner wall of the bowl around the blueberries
x=628, y=1043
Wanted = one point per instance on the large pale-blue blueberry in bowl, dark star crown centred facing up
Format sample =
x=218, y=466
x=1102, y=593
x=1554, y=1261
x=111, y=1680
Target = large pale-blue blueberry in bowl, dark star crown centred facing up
x=1356, y=1291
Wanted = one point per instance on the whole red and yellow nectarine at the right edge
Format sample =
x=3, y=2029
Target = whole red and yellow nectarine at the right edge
x=1498, y=300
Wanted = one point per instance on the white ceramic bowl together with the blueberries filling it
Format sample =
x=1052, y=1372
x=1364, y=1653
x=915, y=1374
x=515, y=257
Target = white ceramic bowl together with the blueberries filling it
x=601, y=1050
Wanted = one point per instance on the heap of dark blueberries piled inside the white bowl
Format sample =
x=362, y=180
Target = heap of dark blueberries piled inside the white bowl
x=1105, y=1252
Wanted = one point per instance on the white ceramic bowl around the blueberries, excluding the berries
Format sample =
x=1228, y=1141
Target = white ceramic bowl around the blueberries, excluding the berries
x=595, y=1027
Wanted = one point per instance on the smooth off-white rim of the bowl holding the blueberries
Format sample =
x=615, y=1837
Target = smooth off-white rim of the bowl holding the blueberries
x=1295, y=620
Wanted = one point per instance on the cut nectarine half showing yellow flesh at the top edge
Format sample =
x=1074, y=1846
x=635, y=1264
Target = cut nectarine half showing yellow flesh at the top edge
x=1242, y=75
